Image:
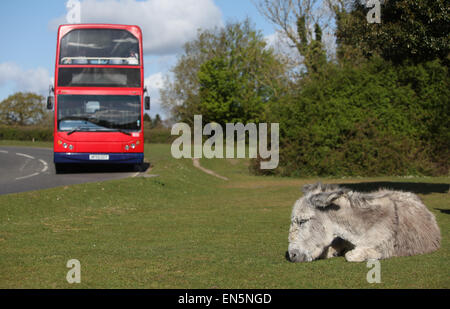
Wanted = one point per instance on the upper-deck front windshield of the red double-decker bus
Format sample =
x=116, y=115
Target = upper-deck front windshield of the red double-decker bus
x=99, y=46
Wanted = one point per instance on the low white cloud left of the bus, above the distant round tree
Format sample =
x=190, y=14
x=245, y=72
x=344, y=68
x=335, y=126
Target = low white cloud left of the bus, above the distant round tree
x=34, y=80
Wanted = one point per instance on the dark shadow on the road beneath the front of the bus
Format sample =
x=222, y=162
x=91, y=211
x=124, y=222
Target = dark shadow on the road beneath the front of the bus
x=102, y=168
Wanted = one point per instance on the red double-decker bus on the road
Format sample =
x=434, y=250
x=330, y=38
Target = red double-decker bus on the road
x=98, y=95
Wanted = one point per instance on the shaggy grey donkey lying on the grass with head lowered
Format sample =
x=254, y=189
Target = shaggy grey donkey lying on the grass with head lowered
x=332, y=221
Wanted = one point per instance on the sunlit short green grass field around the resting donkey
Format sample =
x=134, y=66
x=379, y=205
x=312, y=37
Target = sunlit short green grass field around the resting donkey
x=187, y=229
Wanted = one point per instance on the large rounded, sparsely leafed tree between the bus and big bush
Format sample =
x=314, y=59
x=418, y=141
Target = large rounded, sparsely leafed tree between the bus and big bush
x=226, y=74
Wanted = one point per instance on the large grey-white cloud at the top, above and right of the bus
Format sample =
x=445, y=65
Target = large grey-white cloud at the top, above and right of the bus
x=166, y=25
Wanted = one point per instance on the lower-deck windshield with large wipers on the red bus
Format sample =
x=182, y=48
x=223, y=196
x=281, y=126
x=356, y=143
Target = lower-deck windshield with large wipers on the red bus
x=99, y=113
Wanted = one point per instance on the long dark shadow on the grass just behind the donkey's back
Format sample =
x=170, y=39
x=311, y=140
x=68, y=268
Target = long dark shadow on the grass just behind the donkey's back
x=415, y=187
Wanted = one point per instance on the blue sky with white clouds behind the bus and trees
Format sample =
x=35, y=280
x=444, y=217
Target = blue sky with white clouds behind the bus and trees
x=28, y=32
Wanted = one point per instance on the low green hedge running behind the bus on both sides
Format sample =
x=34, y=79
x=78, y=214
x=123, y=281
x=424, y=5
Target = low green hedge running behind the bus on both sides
x=42, y=134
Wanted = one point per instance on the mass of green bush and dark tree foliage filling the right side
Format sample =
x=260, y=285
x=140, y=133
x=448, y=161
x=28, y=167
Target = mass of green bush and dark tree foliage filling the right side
x=383, y=107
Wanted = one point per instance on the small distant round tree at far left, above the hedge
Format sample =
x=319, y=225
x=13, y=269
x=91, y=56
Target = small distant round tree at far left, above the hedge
x=22, y=109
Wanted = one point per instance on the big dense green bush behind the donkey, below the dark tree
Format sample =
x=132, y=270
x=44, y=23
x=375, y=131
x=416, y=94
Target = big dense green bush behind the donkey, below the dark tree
x=372, y=120
